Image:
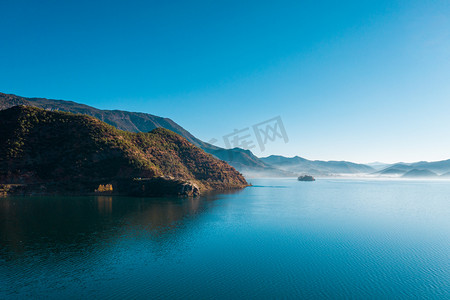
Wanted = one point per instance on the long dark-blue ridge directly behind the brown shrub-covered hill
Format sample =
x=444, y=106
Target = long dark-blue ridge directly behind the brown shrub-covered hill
x=141, y=122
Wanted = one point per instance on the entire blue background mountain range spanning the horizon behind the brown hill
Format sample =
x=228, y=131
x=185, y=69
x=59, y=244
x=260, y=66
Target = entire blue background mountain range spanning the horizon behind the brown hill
x=243, y=160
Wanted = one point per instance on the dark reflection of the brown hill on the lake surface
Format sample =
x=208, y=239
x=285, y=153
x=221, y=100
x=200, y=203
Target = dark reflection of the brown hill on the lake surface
x=55, y=224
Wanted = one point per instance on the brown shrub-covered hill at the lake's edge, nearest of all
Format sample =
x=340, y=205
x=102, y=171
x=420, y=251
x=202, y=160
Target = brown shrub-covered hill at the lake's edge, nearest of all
x=65, y=152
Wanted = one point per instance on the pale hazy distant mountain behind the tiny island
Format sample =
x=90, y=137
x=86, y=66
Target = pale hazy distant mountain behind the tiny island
x=315, y=167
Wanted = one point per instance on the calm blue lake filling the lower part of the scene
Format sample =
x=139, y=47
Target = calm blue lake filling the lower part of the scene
x=280, y=238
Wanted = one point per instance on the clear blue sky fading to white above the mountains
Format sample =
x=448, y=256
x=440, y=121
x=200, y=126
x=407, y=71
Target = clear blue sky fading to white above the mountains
x=351, y=80
